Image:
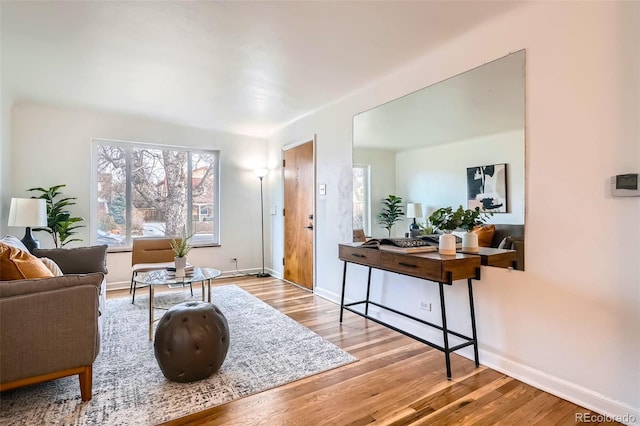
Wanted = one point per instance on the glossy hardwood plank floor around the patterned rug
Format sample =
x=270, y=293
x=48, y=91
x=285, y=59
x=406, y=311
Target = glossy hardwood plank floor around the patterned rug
x=397, y=380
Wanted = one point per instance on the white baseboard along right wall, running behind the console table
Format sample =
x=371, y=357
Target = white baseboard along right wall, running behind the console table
x=594, y=401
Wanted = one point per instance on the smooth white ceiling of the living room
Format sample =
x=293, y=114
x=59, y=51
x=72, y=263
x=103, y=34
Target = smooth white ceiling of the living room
x=242, y=67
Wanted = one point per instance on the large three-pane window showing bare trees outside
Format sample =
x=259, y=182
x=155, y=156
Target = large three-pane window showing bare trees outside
x=151, y=191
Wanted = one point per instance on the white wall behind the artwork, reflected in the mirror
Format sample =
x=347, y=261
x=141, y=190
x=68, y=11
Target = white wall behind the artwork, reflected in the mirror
x=436, y=176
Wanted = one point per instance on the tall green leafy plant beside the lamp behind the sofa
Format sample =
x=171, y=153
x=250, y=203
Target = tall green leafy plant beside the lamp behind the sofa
x=60, y=224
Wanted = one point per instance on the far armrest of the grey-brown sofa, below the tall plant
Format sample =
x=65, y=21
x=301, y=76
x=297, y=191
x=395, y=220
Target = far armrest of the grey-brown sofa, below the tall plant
x=77, y=260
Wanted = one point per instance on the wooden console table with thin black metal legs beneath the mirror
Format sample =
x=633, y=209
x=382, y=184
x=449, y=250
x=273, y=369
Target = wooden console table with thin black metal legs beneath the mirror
x=433, y=267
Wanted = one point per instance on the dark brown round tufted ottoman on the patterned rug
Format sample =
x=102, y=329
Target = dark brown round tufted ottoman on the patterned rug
x=191, y=341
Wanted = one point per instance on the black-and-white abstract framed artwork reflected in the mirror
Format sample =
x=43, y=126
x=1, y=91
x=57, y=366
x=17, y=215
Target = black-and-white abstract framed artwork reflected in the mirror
x=487, y=187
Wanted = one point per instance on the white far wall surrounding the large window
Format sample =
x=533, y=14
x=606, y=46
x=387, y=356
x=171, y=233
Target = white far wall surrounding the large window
x=52, y=146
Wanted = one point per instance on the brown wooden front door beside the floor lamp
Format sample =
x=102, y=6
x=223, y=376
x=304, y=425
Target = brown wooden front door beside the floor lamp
x=298, y=214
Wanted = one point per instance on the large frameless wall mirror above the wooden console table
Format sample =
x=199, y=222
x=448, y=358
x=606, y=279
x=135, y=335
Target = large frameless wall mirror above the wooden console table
x=429, y=146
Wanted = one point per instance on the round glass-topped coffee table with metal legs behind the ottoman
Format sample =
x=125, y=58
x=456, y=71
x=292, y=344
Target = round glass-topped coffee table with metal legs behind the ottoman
x=163, y=277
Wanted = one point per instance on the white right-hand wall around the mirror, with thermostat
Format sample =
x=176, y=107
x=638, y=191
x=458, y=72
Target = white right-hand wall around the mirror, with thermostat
x=570, y=323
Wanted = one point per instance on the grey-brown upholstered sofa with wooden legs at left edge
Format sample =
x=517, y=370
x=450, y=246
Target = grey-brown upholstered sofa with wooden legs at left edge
x=50, y=327
